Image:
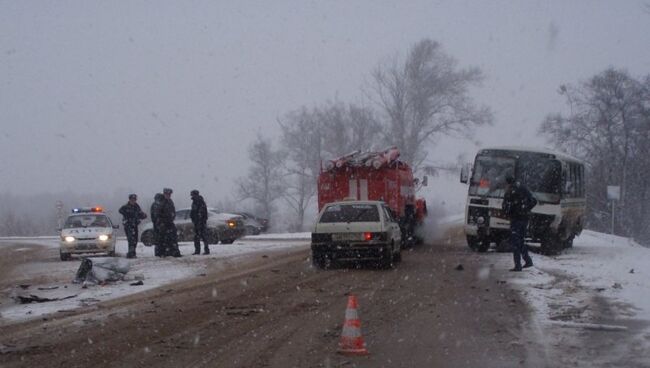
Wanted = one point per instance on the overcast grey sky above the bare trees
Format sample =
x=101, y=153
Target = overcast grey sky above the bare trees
x=138, y=95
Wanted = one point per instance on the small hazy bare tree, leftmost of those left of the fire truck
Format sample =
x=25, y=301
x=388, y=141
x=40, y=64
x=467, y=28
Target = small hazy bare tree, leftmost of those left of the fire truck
x=264, y=183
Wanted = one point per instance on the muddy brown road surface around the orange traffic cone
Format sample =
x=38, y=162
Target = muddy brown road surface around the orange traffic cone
x=276, y=310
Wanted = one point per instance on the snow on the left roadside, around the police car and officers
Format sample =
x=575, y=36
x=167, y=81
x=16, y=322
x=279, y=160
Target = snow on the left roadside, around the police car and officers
x=155, y=272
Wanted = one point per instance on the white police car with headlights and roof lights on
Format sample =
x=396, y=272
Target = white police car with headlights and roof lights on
x=87, y=230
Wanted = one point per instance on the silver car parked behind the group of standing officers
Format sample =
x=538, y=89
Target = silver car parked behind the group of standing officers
x=221, y=227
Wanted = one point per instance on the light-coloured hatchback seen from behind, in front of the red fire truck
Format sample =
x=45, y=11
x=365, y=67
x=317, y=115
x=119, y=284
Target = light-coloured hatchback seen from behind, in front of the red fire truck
x=356, y=231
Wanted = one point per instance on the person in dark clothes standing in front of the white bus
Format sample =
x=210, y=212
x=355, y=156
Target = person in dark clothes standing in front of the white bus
x=518, y=201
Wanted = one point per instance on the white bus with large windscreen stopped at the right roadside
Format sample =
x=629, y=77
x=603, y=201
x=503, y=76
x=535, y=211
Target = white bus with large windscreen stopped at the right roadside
x=556, y=180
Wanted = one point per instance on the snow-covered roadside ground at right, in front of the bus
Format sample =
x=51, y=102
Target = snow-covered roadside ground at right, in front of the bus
x=591, y=304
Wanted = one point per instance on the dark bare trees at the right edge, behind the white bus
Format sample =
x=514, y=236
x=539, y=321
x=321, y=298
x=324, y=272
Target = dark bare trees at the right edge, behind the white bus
x=609, y=126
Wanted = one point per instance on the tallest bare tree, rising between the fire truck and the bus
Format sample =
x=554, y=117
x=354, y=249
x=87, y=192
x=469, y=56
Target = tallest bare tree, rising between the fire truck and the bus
x=426, y=97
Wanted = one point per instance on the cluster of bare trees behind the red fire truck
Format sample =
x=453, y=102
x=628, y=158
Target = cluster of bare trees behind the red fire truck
x=411, y=103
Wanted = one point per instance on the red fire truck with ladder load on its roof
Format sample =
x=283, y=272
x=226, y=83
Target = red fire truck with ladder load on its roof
x=375, y=176
